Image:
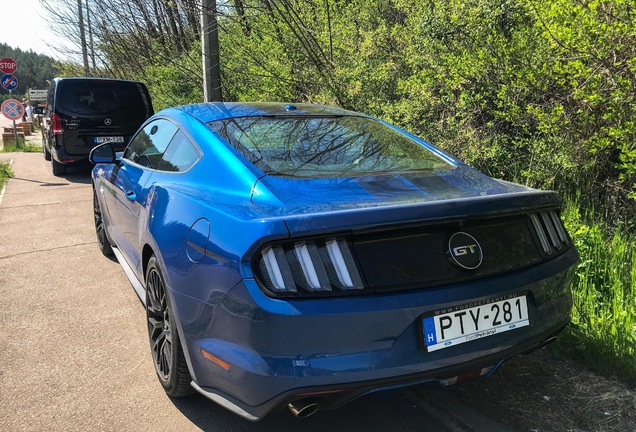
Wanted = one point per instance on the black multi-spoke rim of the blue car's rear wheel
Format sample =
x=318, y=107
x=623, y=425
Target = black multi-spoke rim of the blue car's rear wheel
x=159, y=324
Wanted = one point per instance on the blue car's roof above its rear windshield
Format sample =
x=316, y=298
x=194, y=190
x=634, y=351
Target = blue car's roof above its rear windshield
x=211, y=111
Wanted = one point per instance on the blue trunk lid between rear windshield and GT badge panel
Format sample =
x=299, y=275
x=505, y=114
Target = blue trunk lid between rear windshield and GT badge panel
x=313, y=206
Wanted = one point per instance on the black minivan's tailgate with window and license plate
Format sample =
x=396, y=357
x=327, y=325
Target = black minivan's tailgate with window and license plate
x=93, y=111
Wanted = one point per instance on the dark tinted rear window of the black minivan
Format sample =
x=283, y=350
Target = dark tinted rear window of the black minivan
x=95, y=97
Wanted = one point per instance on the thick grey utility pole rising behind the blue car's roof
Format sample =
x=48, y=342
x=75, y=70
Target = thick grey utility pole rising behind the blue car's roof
x=210, y=53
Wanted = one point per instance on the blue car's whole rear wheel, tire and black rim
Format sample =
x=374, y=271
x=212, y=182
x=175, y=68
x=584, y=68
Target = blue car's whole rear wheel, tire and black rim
x=165, y=345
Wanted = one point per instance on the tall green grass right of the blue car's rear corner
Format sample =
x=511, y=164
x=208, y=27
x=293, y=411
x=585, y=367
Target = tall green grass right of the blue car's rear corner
x=603, y=330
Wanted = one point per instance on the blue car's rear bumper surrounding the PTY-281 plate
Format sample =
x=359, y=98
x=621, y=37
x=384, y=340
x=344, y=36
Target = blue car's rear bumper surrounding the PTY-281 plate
x=282, y=350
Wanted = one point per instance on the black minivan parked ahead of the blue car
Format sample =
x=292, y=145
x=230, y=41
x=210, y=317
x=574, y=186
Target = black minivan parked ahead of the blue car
x=81, y=113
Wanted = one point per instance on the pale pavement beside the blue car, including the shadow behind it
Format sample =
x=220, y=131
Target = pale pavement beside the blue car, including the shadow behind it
x=74, y=351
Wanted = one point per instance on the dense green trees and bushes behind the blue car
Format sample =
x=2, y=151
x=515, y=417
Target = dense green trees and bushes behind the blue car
x=537, y=92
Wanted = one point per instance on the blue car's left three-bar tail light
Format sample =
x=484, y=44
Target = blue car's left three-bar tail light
x=306, y=268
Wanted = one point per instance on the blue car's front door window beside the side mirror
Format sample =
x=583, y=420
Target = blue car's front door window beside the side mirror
x=149, y=144
